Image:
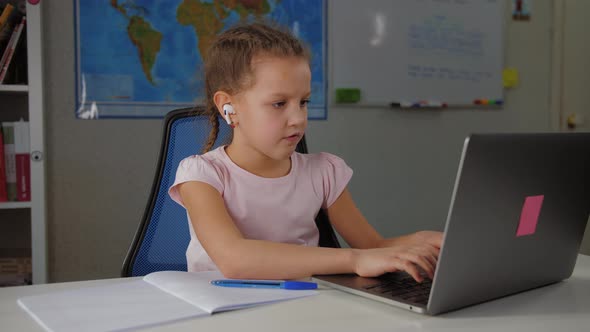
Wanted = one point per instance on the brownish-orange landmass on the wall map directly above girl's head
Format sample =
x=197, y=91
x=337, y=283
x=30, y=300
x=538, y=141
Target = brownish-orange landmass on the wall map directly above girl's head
x=207, y=18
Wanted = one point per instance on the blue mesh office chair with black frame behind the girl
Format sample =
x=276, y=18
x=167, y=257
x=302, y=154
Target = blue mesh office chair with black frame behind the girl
x=163, y=235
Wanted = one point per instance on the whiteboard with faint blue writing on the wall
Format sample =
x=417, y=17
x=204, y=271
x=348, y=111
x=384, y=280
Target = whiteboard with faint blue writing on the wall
x=448, y=51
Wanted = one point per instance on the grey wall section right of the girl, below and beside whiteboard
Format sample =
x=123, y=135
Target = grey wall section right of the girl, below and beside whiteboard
x=405, y=162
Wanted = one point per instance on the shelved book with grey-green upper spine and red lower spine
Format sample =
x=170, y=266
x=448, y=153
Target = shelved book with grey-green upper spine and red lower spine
x=23, y=161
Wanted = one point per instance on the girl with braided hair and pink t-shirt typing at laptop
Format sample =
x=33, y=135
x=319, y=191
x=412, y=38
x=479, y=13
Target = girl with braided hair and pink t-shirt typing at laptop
x=251, y=204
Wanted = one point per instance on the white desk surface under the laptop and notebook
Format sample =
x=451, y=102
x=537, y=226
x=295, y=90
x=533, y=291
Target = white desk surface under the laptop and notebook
x=564, y=306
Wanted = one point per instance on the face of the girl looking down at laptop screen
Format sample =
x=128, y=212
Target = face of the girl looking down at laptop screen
x=272, y=112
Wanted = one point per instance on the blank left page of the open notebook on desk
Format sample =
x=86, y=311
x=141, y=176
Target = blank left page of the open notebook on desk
x=125, y=305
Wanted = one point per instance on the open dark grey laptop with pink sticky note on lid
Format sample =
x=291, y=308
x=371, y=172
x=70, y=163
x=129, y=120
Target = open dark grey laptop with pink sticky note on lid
x=516, y=220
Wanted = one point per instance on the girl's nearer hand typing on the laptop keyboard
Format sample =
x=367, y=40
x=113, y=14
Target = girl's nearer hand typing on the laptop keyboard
x=410, y=258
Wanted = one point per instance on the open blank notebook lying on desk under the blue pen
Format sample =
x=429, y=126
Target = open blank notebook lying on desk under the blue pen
x=158, y=298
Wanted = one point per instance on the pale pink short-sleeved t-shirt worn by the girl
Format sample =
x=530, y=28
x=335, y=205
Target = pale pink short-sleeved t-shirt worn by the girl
x=274, y=209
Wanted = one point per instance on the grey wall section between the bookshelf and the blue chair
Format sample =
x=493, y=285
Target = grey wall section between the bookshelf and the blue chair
x=99, y=173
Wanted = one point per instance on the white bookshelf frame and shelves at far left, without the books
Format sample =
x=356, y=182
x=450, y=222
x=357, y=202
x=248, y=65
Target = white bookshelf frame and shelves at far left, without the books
x=26, y=101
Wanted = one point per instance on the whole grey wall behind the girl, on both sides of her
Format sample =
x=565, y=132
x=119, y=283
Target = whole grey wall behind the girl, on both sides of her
x=99, y=173
